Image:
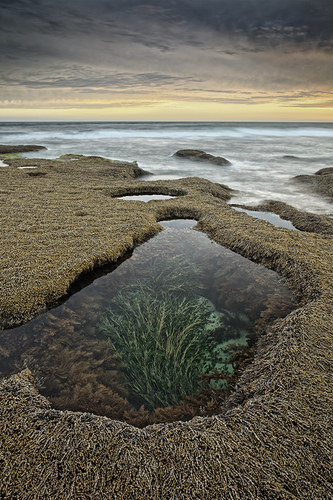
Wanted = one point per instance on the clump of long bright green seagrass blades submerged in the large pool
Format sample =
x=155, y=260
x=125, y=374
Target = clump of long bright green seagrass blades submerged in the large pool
x=161, y=343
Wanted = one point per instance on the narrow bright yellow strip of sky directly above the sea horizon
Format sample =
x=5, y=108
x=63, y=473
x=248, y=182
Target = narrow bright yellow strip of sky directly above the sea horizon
x=169, y=110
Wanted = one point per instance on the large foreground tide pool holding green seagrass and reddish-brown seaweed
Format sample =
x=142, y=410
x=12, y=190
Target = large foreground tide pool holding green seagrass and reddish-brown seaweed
x=143, y=334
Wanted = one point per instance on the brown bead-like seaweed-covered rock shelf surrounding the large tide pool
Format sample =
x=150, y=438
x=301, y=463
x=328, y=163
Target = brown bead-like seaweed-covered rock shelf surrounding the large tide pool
x=272, y=439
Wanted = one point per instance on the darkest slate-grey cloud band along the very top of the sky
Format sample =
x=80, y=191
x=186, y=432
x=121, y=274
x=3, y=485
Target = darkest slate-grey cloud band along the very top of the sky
x=262, y=21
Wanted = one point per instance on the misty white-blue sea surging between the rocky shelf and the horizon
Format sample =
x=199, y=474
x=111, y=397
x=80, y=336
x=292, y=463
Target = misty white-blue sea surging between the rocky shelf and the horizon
x=264, y=156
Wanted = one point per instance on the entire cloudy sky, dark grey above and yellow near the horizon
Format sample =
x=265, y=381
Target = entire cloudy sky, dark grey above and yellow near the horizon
x=253, y=60
